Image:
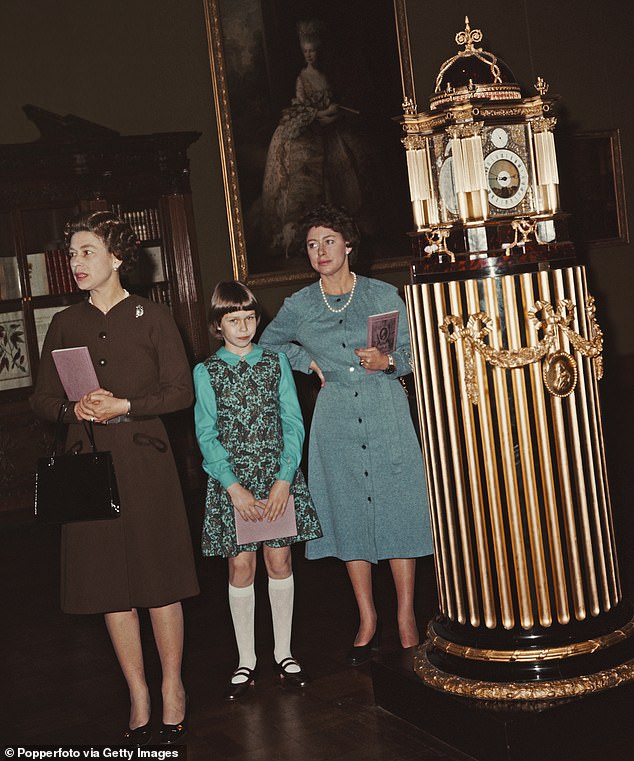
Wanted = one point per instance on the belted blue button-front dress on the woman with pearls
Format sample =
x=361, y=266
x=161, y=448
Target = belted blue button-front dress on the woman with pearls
x=365, y=468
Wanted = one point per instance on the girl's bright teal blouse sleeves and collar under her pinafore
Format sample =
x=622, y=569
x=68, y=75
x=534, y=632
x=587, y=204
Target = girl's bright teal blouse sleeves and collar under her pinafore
x=216, y=460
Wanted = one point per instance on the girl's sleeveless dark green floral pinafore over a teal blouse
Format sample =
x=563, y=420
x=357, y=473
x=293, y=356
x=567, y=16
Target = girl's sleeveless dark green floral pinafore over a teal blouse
x=250, y=430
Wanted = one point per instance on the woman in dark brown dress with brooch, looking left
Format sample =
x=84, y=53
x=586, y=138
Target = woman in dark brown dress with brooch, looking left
x=144, y=557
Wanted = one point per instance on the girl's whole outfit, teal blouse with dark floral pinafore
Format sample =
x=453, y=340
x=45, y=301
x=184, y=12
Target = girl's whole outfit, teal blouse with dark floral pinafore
x=250, y=430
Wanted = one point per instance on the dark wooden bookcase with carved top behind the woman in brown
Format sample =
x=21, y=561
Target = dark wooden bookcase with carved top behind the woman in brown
x=75, y=166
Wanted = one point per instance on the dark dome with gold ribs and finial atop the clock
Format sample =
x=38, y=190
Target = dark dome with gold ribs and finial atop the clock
x=473, y=74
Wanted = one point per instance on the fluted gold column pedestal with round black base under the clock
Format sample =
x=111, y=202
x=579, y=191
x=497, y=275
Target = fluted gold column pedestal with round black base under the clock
x=507, y=357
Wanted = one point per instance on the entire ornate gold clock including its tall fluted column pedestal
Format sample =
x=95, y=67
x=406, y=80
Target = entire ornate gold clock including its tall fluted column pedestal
x=507, y=355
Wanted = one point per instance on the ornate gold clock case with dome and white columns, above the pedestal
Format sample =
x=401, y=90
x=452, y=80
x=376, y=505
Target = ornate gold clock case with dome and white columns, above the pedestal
x=482, y=155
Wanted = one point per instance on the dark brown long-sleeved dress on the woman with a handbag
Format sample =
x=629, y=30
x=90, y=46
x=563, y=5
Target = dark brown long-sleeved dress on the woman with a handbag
x=144, y=557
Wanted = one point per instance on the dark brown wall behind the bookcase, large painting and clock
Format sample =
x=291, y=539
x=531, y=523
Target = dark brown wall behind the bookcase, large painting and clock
x=141, y=66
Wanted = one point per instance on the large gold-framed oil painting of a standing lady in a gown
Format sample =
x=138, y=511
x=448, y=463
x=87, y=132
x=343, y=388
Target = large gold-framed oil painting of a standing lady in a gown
x=308, y=97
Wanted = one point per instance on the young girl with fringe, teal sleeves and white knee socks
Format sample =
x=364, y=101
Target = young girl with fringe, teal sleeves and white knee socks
x=250, y=432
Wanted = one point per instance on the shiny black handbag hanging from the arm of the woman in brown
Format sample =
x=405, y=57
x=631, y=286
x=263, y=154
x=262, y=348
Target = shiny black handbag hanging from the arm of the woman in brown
x=75, y=486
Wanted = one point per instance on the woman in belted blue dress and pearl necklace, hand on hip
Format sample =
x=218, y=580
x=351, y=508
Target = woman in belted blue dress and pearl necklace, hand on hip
x=365, y=469
